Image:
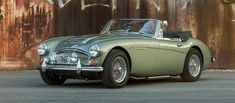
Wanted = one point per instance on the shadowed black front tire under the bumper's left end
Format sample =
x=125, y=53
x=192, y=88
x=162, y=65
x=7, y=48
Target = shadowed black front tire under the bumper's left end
x=51, y=78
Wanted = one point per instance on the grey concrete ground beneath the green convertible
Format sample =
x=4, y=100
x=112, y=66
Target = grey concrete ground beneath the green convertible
x=27, y=87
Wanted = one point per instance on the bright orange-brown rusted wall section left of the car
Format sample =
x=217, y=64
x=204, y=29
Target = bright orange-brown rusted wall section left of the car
x=23, y=25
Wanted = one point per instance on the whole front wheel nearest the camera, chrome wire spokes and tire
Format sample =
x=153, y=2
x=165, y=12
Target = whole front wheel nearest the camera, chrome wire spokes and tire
x=116, y=69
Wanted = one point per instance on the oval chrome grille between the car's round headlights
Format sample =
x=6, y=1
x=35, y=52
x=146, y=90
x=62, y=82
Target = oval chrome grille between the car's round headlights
x=64, y=57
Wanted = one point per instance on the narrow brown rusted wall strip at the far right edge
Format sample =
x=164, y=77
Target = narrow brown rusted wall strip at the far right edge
x=225, y=39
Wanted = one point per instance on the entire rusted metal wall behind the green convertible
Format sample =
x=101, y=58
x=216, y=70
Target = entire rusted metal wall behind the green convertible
x=25, y=23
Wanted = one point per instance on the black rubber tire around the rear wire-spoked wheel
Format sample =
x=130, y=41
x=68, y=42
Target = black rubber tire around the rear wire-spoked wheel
x=187, y=76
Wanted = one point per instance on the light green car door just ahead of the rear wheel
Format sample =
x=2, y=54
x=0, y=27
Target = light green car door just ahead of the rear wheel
x=170, y=57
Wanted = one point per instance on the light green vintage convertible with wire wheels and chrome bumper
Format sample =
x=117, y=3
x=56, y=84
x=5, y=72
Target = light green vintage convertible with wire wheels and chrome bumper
x=125, y=48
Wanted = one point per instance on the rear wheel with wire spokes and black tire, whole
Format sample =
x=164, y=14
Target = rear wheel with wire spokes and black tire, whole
x=193, y=66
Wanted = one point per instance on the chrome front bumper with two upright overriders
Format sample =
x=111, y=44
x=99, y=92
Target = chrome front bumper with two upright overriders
x=78, y=67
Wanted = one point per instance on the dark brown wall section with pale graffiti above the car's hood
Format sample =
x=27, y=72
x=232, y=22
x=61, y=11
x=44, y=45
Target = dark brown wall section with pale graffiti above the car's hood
x=79, y=18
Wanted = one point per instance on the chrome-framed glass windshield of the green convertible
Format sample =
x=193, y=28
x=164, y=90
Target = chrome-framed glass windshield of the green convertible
x=131, y=27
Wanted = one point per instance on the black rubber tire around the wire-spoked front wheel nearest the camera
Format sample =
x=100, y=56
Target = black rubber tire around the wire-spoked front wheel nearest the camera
x=107, y=78
